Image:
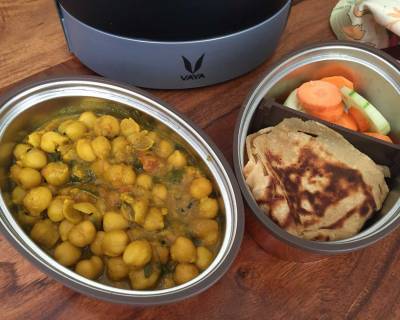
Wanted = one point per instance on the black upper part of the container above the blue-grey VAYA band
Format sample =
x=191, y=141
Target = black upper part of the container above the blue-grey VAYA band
x=178, y=20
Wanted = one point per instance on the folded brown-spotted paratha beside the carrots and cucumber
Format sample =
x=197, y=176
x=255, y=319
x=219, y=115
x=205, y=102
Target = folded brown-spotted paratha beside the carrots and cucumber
x=311, y=181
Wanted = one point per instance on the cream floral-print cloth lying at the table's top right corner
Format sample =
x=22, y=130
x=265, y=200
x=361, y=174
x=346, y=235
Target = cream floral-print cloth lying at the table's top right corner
x=367, y=21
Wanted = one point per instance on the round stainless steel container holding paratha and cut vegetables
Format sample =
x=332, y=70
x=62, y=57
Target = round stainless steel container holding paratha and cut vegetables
x=377, y=76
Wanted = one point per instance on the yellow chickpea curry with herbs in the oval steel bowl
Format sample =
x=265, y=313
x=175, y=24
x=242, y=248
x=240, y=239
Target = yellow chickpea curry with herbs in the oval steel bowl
x=117, y=200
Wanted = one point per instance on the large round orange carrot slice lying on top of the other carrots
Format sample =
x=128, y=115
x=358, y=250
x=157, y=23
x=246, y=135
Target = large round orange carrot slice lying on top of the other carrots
x=318, y=96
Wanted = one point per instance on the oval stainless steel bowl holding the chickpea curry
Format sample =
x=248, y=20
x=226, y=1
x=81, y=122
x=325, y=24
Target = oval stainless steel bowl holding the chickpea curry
x=27, y=107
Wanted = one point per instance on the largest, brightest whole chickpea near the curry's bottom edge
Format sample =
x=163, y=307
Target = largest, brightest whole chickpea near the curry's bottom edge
x=137, y=254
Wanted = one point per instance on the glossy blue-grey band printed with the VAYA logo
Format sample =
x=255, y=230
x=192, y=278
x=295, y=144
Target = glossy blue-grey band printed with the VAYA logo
x=171, y=64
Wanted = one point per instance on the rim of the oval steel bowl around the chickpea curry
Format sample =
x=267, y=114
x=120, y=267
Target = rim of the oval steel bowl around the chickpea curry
x=93, y=288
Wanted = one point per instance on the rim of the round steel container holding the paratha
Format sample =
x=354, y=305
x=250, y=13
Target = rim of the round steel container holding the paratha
x=314, y=247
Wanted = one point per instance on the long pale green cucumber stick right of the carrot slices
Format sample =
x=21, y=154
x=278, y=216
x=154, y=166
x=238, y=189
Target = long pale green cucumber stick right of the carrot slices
x=377, y=121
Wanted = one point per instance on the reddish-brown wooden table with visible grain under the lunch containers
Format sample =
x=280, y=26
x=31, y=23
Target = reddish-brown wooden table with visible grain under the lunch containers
x=362, y=285
